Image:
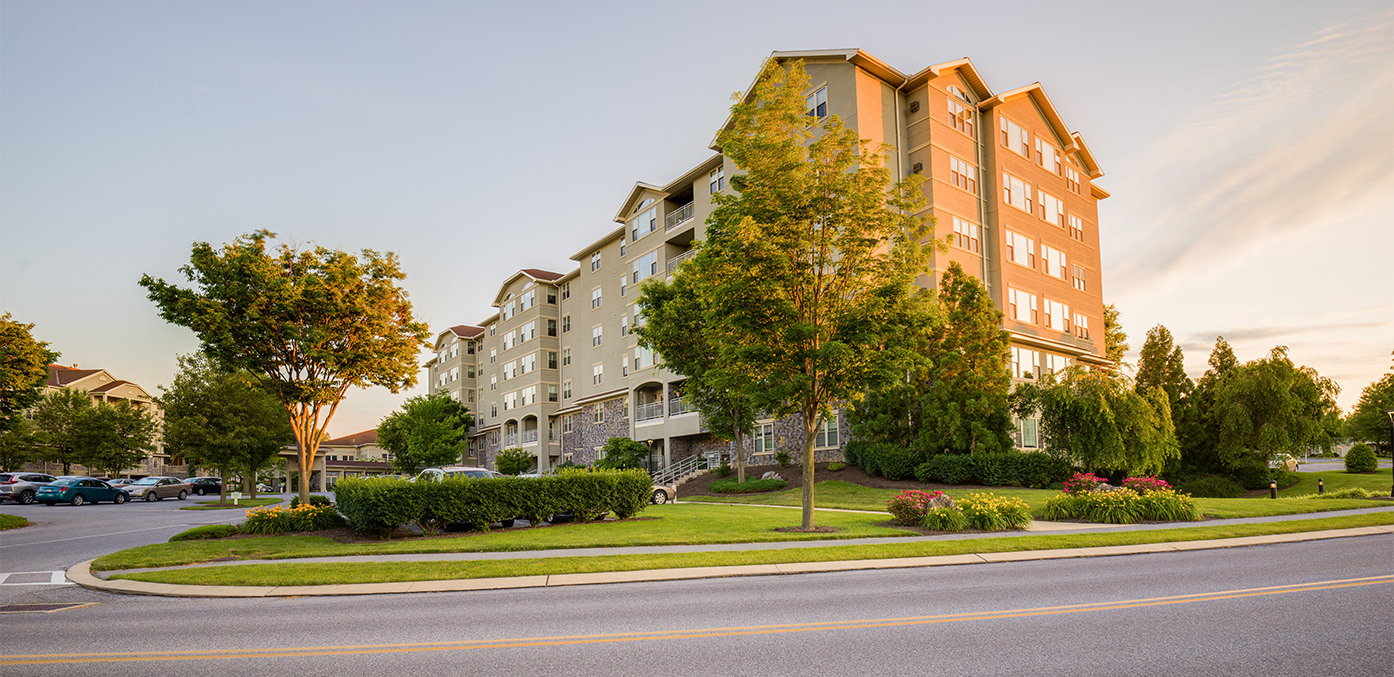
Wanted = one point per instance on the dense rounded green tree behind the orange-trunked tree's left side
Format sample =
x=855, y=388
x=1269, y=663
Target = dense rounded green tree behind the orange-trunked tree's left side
x=224, y=420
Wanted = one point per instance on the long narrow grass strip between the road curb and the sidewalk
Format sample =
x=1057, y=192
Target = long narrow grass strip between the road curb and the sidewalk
x=327, y=575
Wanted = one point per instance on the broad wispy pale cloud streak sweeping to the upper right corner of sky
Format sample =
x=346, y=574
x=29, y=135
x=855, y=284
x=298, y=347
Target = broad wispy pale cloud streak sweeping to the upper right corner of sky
x=1308, y=143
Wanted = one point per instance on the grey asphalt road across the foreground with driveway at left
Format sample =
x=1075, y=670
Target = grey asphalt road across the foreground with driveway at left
x=1317, y=608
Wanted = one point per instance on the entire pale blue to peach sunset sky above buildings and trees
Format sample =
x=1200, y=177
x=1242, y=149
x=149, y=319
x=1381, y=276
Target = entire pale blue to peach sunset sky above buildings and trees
x=1248, y=147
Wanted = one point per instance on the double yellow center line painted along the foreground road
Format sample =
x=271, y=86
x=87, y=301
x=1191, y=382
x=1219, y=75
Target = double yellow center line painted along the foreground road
x=684, y=635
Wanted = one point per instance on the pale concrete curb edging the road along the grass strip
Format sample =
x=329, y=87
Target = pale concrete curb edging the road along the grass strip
x=82, y=575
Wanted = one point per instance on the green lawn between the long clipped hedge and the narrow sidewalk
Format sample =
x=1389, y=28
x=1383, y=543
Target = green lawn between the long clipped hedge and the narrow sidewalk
x=673, y=524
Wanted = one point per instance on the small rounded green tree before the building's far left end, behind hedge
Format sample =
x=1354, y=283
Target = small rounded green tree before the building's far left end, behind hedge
x=429, y=431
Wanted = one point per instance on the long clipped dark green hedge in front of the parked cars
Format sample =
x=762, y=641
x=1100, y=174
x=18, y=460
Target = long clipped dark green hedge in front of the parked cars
x=380, y=506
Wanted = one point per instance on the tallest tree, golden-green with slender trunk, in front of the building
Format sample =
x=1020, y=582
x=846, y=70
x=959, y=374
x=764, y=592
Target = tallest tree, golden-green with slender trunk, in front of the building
x=820, y=256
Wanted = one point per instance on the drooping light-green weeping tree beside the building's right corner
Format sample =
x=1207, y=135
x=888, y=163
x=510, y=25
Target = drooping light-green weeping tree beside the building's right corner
x=1101, y=423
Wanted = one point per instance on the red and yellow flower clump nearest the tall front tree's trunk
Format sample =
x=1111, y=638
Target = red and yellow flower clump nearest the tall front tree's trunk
x=979, y=511
